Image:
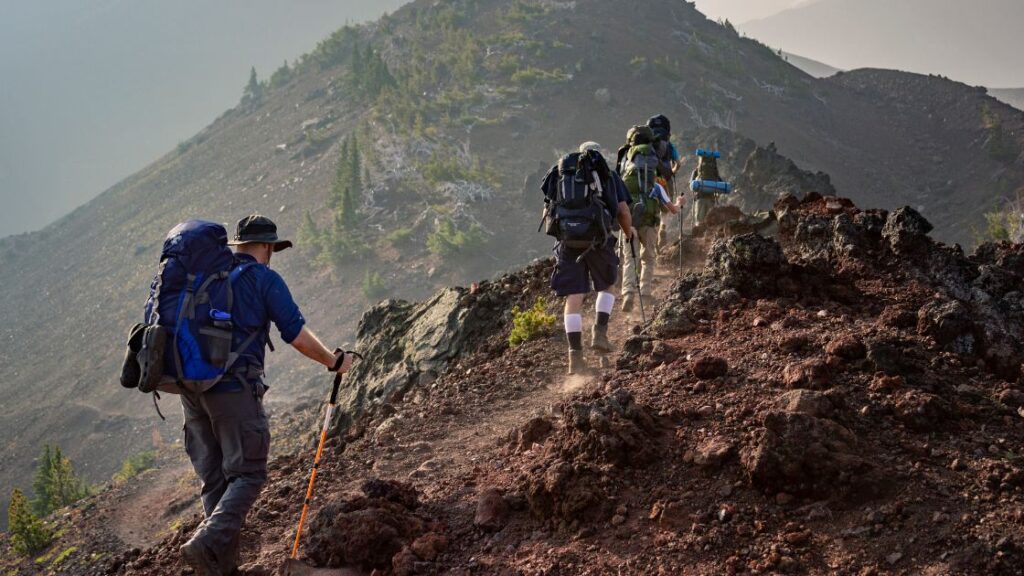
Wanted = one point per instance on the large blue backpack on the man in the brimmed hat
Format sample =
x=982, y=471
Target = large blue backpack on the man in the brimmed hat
x=187, y=340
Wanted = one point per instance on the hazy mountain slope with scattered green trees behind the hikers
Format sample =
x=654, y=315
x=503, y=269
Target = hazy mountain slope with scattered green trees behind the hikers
x=482, y=95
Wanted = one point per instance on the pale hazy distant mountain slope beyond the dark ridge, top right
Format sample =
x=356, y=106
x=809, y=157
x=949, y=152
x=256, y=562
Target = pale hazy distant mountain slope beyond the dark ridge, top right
x=971, y=43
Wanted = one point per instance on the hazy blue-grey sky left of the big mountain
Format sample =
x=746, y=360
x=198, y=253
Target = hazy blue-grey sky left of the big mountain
x=93, y=91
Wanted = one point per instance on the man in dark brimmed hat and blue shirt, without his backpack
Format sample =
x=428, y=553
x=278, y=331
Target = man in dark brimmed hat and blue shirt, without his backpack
x=228, y=436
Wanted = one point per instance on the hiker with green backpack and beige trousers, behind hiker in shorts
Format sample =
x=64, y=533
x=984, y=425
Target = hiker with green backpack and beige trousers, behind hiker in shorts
x=639, y=166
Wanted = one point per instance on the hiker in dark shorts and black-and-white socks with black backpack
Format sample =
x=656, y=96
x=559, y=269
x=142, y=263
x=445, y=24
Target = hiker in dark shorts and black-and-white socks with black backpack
x=584, y=201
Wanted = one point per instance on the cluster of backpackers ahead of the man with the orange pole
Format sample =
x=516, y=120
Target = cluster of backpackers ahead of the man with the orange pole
x=594, y=213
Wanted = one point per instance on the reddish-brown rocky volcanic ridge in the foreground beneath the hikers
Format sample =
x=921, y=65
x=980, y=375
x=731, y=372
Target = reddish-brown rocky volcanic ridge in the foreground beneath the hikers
x=834, y=400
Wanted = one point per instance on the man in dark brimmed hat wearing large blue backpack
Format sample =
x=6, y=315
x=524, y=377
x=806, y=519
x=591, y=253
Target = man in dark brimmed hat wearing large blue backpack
x=205, y=338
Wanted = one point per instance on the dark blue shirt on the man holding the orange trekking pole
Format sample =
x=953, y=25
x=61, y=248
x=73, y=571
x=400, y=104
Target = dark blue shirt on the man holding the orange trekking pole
x=261, y=298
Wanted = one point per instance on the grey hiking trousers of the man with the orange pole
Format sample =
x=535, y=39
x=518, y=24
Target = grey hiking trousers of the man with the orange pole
x=228, y=438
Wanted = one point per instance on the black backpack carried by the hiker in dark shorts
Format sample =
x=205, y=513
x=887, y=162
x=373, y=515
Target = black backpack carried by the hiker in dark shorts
x=577, y=215
